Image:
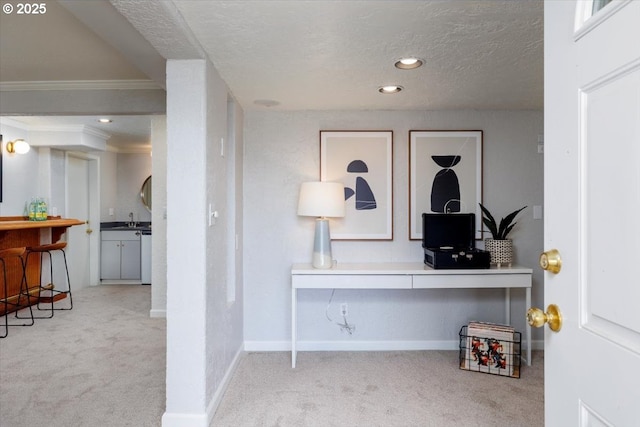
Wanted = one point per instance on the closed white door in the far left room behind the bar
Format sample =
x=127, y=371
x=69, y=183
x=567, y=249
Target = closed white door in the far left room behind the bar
x=81, y=252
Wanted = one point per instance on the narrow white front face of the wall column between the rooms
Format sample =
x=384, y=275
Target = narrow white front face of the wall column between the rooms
x=186, y=243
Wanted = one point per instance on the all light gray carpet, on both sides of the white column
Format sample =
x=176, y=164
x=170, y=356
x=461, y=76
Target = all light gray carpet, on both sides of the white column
x=103, y=364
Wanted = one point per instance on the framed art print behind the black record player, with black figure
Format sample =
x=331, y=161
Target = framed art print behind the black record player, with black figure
x=445, y=176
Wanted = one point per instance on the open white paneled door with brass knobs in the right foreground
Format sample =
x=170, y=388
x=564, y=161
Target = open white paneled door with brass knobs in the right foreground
x=592, y=197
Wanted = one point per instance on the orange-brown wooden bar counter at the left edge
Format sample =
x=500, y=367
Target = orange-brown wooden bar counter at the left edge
x=17, y=231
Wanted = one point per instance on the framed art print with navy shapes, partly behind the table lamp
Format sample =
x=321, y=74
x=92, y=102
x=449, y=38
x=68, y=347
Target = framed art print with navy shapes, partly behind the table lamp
x=363, y=162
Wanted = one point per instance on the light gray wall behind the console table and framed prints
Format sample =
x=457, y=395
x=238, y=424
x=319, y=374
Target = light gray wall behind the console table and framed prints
x=282, y=151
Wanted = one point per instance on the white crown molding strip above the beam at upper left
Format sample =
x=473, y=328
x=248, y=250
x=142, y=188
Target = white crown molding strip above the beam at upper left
x=80, y=85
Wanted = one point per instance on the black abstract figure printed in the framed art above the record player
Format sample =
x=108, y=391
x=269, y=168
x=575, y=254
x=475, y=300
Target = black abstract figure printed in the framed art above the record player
x=445, y=191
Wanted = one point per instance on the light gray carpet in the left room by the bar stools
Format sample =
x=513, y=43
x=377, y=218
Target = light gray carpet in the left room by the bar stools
x=100, y=364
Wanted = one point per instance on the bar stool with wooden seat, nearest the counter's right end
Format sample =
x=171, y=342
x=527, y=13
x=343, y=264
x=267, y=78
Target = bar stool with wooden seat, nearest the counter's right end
x=48, y=294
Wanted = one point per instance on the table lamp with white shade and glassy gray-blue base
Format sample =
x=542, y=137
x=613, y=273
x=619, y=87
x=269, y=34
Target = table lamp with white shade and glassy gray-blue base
x=322, y=200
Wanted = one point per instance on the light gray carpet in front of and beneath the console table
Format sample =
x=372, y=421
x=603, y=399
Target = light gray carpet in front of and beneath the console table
x=420, y=388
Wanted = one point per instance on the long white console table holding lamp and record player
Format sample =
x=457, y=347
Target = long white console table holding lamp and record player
x=407, y=276
